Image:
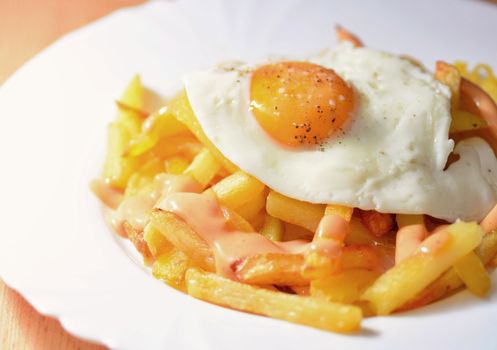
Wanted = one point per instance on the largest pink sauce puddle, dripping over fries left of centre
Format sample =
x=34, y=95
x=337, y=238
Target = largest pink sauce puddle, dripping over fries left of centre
x=204, y=215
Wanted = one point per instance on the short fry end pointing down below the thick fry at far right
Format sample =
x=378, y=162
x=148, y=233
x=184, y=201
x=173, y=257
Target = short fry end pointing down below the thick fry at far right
x=474, y=275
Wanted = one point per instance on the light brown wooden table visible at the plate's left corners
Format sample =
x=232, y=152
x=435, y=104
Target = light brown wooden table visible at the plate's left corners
x=26, y=27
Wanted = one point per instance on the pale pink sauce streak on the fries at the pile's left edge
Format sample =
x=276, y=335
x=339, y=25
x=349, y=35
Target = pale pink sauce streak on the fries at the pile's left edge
x=136, y=209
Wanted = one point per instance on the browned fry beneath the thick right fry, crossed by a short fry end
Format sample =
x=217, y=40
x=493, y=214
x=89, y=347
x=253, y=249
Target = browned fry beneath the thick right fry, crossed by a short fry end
x=450, y=280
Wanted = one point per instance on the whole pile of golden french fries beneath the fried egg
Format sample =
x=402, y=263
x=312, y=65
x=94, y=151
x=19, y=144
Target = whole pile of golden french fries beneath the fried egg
x=367, y=278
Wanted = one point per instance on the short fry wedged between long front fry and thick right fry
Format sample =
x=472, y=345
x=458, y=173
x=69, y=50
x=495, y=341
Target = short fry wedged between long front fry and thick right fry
x=345, y=287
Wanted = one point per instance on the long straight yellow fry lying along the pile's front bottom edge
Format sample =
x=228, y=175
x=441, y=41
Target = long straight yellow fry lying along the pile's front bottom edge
x=303, y=310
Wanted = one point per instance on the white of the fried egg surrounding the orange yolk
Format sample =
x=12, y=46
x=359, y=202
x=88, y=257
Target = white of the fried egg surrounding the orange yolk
x=390, y=157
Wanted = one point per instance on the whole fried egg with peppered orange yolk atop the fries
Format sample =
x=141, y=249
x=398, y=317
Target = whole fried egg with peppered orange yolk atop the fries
x=350, y=126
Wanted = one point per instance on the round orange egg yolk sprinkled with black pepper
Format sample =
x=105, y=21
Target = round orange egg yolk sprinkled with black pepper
x=300, y=103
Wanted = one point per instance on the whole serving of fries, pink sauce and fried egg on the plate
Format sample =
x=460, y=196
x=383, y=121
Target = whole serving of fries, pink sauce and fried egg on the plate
x=317, y=190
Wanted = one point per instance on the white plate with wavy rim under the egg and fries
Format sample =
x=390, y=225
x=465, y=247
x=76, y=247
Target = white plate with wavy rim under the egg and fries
x=54, y=246
